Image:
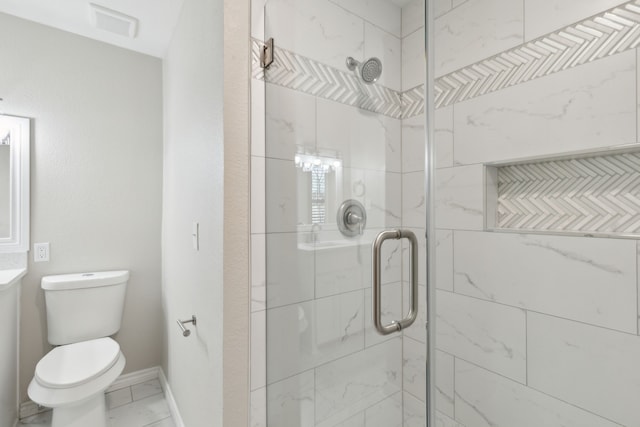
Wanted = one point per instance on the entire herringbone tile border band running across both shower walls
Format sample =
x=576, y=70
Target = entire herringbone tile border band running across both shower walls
x=605, y=34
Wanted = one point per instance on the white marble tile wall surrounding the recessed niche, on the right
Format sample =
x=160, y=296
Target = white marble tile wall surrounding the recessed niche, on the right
x=532, y=329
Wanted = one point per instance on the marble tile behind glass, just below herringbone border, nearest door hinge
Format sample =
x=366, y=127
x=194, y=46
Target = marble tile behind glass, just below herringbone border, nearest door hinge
x=290, y=122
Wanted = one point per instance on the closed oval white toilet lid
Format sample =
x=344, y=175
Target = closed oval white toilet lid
x=75, y=364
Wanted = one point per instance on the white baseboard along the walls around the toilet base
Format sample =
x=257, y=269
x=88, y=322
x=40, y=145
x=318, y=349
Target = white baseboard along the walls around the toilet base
x=30, y=408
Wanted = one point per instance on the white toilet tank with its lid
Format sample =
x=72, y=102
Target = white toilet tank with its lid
x=84, y=306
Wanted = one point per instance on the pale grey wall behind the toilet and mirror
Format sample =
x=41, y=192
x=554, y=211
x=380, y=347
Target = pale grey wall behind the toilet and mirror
x=96, y=173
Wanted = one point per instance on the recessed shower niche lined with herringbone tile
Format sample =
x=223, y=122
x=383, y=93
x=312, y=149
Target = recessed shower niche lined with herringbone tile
x=595, y=194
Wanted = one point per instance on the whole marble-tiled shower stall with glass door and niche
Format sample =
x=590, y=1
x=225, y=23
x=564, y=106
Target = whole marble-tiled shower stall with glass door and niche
x=445, y=213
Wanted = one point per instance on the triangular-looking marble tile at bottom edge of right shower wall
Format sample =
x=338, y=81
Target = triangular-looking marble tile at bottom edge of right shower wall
x=484, y=398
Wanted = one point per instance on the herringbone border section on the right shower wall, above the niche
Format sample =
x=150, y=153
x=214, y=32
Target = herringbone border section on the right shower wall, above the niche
x=605, y=34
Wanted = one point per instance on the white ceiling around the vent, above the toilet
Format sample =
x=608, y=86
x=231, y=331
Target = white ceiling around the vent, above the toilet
x=156, y=19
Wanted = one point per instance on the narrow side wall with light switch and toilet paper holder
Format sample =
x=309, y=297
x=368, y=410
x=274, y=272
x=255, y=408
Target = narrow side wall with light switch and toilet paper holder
x=193, y=192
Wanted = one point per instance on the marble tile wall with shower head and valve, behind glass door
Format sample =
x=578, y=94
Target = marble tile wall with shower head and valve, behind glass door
x=315, y=358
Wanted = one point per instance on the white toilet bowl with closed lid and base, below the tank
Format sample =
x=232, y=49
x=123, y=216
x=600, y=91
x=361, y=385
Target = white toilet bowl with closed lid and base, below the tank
x=72, y=380
